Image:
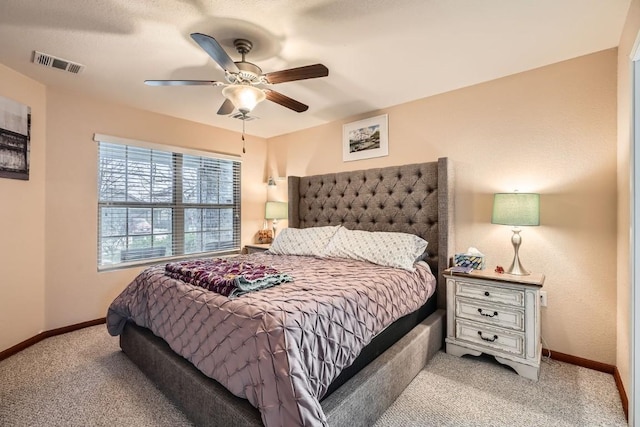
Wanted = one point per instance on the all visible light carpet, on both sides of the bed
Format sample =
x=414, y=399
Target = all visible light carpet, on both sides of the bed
x=83, y=379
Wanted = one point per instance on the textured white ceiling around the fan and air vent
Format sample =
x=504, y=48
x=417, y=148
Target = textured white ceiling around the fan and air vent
x=379, y=52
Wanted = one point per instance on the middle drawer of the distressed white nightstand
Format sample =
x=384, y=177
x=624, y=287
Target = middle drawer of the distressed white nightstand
x=495, y=314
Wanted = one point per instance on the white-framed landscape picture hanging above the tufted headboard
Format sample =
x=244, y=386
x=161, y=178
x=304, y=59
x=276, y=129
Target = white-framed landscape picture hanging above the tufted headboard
x=365, y=139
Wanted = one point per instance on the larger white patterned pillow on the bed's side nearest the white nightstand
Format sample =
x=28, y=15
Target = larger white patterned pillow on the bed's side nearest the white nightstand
x=400, y=250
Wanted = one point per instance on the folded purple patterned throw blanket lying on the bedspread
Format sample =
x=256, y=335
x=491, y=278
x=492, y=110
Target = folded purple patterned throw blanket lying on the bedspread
x=228, y=277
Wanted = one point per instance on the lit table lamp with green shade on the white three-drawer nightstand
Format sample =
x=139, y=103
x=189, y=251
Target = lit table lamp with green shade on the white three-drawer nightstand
x=516, y=209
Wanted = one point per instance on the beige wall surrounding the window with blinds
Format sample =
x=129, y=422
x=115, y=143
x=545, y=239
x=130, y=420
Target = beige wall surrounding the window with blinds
x=75, y=291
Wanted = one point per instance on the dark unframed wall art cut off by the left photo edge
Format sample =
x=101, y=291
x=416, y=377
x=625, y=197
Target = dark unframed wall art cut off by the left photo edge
x=15, y=136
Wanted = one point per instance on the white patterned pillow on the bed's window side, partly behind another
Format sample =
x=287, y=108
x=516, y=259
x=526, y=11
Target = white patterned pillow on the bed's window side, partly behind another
x=303, y=241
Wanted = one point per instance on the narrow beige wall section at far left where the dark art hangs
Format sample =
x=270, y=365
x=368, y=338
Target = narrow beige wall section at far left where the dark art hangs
x=22, y=233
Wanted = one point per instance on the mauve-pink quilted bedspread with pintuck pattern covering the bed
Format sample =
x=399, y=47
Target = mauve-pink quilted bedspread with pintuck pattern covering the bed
x=281, y=347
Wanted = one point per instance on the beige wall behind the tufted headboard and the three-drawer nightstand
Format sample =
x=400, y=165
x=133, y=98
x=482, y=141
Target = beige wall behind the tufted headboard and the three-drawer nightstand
x=550, y=130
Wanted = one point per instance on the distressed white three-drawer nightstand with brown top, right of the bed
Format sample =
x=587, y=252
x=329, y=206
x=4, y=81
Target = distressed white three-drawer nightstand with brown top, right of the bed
x=495, y=314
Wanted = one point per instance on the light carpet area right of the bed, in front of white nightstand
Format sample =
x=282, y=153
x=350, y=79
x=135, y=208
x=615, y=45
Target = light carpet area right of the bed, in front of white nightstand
x=478, y=391
